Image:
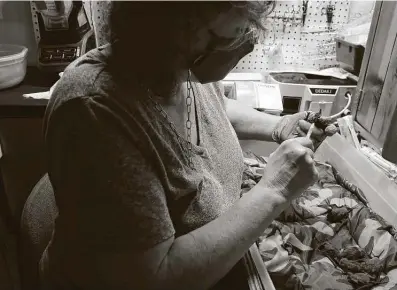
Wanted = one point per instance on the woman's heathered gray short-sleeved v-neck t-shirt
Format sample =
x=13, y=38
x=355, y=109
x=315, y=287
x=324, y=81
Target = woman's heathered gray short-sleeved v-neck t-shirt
x=121, y=176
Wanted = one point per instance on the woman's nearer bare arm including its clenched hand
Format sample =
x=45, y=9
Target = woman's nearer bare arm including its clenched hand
x=198, y=260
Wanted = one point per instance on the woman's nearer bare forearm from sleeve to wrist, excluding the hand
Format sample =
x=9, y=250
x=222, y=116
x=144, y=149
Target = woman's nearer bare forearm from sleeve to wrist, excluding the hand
x=201, y=258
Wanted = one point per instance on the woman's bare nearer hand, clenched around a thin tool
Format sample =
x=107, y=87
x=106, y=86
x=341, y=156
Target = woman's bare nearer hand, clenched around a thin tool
x=290, y=169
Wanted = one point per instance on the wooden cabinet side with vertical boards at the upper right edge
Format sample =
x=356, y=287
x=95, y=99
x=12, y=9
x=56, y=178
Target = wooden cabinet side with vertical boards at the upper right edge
x=376, y=96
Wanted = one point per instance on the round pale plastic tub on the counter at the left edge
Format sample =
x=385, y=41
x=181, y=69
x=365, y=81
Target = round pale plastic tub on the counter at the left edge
x=13, y=62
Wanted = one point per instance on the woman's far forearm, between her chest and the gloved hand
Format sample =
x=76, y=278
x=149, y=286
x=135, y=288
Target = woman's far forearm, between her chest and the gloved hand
x=250, y=123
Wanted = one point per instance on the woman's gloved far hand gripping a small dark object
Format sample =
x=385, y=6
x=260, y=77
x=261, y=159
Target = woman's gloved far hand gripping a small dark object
x=297, y=125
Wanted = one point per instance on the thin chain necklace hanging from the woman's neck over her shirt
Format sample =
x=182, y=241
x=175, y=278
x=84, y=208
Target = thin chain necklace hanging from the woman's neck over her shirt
x=190, y=95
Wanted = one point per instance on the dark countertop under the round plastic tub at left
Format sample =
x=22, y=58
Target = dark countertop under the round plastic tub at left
x=14, y=105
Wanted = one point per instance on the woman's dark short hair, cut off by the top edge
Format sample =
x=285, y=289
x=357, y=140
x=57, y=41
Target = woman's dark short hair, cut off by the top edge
x=154, y=36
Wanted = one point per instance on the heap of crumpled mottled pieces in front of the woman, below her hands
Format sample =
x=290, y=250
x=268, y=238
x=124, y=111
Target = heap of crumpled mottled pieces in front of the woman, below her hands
x=328, y=238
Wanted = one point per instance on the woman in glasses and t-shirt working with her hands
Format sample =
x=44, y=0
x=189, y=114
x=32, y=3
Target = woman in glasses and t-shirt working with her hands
x=144, y=157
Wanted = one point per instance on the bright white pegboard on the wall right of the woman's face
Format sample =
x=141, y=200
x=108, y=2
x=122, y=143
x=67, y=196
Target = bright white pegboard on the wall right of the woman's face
x=290, y=45
